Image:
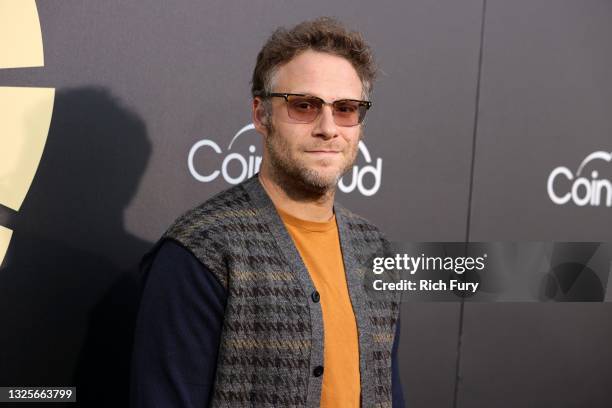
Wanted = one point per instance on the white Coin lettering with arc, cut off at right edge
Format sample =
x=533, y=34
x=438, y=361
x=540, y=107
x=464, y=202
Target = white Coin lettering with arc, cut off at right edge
x=590, y=185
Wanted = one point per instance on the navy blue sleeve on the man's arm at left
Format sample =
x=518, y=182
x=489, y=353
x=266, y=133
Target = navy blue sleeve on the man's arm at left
x=177, y=334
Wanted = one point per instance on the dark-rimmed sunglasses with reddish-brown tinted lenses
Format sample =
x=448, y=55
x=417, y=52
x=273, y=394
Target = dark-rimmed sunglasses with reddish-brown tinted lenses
x=306, y=108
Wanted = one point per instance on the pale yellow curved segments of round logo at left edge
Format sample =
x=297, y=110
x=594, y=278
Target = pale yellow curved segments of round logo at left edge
x=26, y=112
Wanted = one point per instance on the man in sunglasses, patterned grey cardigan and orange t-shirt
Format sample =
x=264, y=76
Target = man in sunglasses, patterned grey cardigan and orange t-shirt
x=256, y=297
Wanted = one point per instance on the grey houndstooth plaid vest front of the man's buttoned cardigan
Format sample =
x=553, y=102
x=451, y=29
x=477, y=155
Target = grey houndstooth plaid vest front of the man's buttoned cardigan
x=271, y=346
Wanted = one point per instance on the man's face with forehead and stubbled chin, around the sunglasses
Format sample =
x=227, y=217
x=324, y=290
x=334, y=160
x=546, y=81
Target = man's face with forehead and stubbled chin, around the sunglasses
x=313, y=155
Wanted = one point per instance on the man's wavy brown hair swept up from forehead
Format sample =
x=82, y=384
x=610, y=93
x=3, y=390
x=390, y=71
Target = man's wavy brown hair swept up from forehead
x=323, y=34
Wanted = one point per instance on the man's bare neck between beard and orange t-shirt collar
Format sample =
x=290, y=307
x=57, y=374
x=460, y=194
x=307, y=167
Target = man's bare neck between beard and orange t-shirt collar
x=301, y=203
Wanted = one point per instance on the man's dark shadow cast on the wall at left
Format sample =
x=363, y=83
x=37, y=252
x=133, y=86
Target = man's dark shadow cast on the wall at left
x=69, y=285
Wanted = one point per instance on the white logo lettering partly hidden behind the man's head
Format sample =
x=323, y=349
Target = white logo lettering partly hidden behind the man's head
x=242, y=160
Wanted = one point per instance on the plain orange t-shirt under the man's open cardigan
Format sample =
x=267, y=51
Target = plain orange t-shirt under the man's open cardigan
x=319, y=246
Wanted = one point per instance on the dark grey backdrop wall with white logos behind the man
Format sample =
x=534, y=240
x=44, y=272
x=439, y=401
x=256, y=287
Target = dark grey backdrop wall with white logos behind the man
x=491, y=122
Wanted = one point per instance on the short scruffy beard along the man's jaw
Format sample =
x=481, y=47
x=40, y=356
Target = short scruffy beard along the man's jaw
x=294, y=175
